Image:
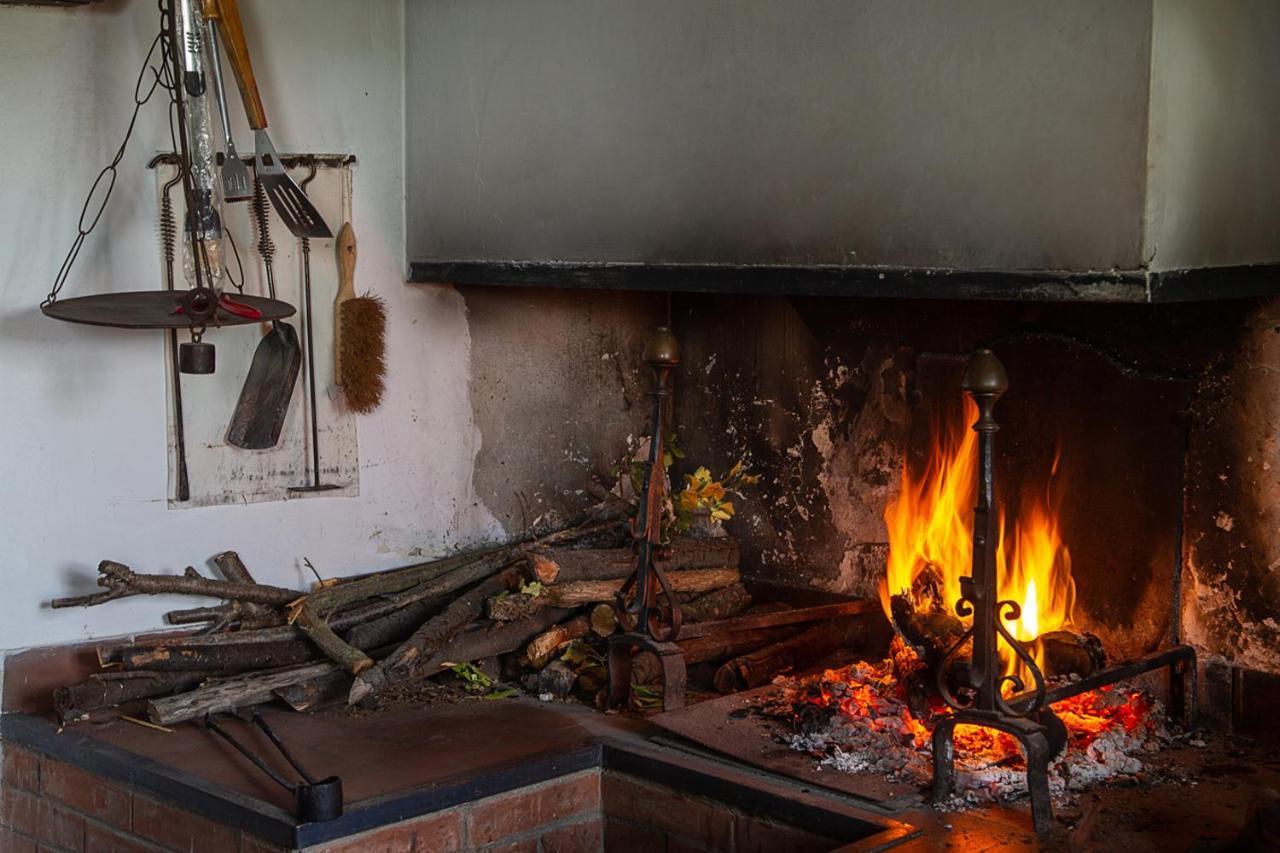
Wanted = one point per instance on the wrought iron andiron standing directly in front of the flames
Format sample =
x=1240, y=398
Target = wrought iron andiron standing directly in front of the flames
x=982, y=704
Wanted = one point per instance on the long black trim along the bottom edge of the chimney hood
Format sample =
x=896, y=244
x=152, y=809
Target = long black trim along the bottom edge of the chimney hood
x=888, y=282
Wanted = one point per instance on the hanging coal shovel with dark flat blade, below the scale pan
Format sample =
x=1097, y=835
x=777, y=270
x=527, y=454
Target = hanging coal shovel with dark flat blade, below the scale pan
x=264, y=402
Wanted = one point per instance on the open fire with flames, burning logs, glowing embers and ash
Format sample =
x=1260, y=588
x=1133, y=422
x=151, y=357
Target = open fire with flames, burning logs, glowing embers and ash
x=879, y=718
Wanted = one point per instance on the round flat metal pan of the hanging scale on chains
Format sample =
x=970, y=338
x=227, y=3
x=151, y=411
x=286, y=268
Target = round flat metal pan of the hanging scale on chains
x=157, y=311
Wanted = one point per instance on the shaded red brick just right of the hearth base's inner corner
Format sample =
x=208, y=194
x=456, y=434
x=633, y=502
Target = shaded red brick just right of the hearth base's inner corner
x=703, y=822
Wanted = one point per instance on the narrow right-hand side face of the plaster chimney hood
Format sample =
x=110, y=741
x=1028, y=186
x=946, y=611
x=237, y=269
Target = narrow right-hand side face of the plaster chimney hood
x=1214, y=135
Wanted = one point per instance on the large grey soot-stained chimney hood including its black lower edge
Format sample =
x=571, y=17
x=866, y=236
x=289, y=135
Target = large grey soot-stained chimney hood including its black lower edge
x=1009, y=149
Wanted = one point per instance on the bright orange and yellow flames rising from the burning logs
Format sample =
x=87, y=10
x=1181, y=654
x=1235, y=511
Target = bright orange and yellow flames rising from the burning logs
x=931, y=527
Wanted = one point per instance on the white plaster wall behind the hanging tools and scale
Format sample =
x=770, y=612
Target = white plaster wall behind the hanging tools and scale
x=83, y=410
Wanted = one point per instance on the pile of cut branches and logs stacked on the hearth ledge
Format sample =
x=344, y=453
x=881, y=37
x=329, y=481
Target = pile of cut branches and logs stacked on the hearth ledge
x=534, y=614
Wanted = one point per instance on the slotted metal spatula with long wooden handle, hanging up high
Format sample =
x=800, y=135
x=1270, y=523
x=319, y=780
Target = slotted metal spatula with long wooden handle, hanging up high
x=294, y=207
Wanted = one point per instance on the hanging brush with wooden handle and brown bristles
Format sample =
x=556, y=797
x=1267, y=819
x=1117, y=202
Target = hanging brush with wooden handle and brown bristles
x=359, y=334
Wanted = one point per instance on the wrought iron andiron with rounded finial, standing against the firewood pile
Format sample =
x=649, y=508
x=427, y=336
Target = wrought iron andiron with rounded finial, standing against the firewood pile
x=638, y=599
